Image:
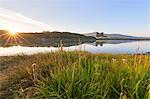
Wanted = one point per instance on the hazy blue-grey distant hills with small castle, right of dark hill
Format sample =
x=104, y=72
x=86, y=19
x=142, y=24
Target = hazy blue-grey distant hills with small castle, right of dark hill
x=104, y=36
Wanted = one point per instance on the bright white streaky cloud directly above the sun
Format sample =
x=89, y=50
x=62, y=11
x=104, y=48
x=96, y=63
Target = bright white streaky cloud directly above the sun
x=19, y=22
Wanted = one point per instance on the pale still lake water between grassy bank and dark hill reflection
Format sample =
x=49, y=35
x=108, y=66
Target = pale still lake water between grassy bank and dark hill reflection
x=114, y=47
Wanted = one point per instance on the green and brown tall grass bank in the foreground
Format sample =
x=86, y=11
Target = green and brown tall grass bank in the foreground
x=76, y=75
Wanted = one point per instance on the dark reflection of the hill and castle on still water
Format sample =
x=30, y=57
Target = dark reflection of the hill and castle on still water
x=69, y=42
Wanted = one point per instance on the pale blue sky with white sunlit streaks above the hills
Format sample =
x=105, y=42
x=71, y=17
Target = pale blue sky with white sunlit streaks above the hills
x=130, y=17
